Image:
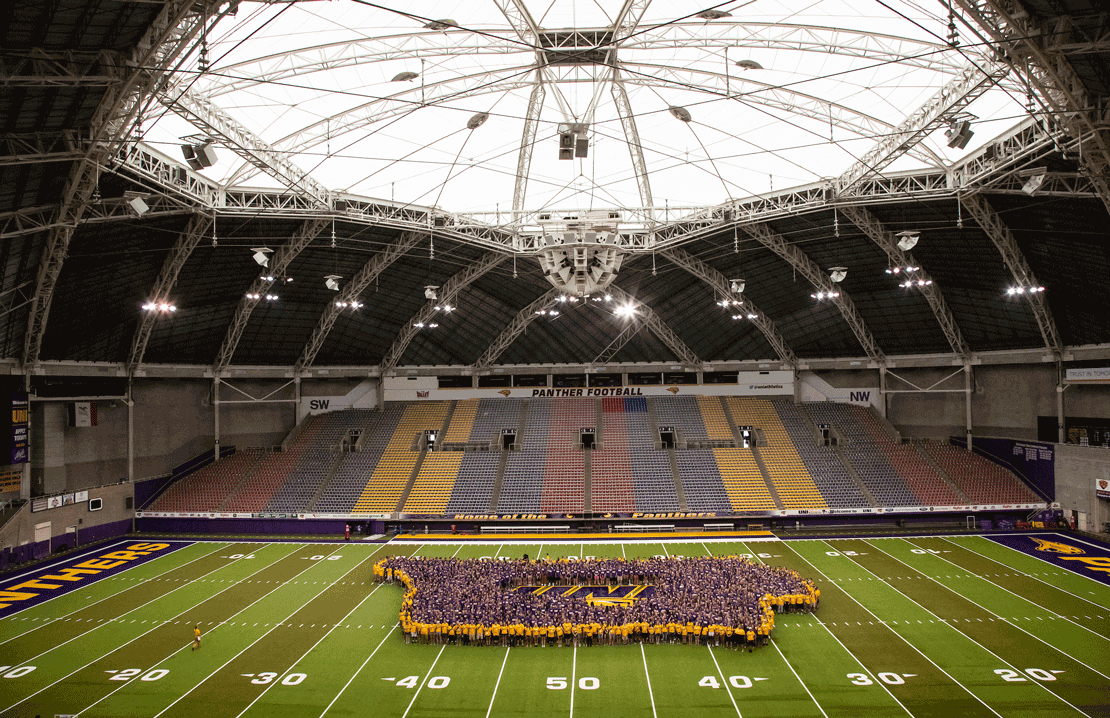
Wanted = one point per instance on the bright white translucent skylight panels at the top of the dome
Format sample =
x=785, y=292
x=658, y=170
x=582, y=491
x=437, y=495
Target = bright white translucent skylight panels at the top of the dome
x=314, y=80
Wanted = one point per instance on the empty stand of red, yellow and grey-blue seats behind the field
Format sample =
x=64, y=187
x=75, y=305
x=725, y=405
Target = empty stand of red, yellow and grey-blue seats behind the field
x=710, y=470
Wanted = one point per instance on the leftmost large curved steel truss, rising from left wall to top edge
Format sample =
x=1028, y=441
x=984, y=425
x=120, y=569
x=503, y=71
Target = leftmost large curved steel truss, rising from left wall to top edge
x=169, y=38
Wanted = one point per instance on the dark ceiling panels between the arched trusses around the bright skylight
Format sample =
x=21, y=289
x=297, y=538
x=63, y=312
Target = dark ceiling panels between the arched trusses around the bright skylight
x=112, y=267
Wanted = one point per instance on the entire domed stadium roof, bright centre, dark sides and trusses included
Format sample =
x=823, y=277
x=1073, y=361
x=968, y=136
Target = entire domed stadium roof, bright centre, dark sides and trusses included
x=519, y=157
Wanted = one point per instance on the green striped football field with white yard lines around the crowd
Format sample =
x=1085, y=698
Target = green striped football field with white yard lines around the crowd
x=932, y=628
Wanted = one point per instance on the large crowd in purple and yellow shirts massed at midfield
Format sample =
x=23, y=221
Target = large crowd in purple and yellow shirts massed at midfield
x=721, y=601
